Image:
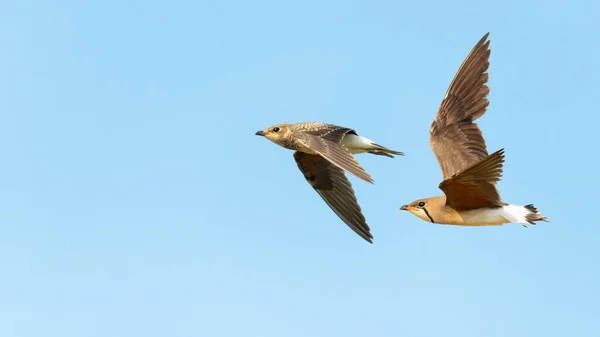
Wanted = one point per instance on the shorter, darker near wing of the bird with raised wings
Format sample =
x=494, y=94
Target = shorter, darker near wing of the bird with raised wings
x=475, y=187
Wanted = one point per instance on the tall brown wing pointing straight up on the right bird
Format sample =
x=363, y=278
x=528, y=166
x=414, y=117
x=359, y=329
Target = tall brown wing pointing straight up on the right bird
x=455, y=139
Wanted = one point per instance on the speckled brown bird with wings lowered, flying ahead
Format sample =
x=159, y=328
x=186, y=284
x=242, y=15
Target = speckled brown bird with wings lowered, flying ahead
x=323, y=153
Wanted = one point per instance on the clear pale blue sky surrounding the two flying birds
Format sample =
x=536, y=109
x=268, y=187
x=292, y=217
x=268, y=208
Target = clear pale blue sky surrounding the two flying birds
x=135, y=199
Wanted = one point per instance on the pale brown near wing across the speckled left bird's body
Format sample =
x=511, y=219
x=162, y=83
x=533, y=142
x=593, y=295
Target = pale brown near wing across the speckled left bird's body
x=326, y=140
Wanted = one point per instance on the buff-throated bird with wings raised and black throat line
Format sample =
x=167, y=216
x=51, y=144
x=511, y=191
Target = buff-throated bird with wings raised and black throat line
x=470, y=174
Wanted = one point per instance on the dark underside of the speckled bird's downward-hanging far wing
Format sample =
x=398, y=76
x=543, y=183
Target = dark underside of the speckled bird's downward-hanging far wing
x=333, y=186
